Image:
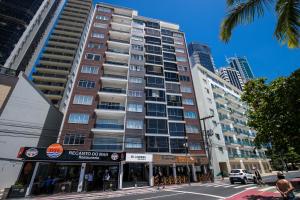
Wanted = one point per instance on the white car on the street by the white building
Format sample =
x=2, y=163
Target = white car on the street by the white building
x=241, y=175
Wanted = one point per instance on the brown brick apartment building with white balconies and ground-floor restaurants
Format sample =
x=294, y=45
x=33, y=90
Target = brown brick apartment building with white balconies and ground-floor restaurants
x=133, y=93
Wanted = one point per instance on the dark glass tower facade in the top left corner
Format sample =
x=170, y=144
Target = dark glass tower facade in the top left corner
x=15, y=17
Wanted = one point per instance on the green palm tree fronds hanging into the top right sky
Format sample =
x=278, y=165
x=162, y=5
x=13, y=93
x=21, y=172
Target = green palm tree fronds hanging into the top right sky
x=287, y=29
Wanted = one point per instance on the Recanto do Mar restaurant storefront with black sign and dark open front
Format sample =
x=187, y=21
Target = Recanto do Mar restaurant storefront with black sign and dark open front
x=54, y=170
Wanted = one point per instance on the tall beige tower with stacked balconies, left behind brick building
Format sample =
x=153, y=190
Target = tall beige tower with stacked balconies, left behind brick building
x=51, y=65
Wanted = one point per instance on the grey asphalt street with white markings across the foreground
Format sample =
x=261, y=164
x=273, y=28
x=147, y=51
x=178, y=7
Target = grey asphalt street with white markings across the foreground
x=206, y=191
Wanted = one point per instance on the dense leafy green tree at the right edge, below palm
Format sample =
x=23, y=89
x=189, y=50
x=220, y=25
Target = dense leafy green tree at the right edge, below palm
x=274, y=111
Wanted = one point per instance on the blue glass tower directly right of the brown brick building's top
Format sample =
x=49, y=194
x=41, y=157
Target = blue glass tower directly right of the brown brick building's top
x=201, y=54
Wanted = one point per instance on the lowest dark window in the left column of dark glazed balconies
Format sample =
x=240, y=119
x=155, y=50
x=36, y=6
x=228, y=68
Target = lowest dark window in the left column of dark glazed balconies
x=157, y=144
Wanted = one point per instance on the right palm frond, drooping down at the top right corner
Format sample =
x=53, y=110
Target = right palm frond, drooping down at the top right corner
x=288, y=23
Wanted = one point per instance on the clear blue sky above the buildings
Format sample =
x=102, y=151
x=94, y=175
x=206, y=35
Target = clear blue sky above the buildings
x=200, y=20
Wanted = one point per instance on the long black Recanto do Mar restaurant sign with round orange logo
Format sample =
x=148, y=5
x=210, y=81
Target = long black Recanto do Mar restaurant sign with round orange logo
x=44, y=154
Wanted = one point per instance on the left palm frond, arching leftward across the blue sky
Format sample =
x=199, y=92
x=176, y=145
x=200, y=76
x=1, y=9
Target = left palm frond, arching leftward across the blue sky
x=242, y=13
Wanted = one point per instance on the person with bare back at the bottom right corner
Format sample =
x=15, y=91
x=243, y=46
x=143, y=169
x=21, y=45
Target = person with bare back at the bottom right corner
x=285, y=187
